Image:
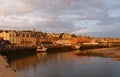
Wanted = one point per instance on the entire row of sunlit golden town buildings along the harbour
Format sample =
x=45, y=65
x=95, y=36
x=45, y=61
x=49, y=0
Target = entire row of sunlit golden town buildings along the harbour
x=32, y=38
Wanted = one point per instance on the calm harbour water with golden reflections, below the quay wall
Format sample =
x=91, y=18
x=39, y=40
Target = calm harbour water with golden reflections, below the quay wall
x=65, y=64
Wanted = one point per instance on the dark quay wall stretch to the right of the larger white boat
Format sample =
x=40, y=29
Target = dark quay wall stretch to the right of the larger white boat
x=82, y=47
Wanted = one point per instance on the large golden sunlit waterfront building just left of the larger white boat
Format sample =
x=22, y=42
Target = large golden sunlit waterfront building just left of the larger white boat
x=25, y=38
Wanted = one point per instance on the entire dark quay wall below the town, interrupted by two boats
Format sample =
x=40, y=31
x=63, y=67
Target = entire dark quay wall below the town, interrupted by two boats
x=57, y=48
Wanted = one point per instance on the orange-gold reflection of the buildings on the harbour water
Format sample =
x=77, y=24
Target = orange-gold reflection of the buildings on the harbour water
x=42, y=58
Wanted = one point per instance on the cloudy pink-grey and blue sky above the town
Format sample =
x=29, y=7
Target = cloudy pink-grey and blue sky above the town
x=100, y=18
